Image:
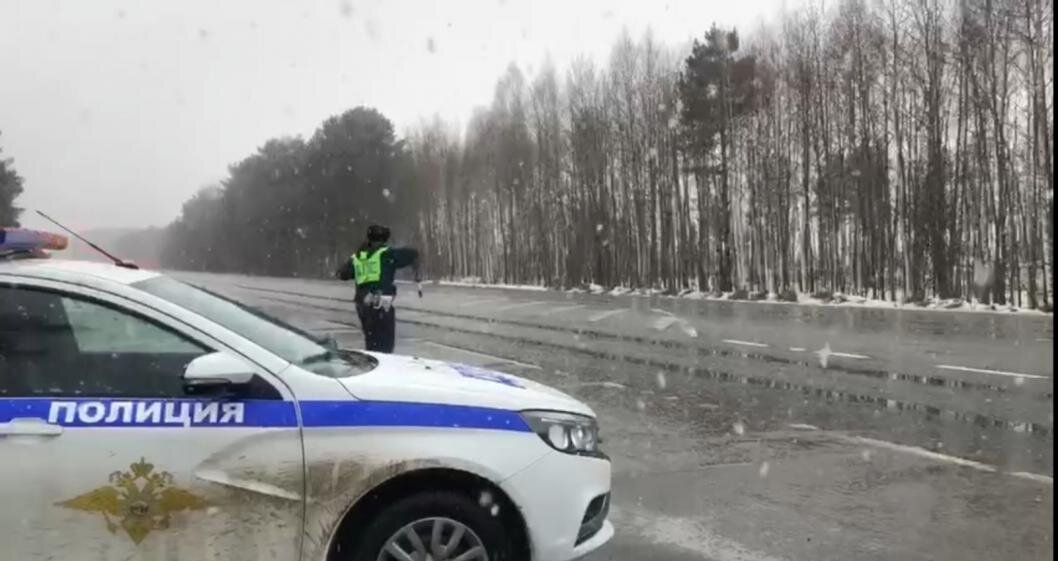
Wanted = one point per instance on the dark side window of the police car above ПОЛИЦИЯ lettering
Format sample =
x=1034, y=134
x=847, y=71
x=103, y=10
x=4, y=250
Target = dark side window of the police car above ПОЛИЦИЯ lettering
x=58, y=345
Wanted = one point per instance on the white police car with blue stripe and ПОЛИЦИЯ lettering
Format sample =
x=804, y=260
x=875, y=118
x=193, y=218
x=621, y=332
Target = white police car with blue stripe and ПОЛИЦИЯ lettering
x=145, y=420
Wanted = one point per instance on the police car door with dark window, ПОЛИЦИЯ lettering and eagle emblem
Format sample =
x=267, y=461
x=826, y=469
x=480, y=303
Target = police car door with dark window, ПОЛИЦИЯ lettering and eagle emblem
x=104, y=456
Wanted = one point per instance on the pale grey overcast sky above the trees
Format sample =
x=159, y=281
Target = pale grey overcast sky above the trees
x=117, y=112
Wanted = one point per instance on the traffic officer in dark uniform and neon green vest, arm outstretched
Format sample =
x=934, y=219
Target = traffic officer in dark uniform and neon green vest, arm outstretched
x=373, y=268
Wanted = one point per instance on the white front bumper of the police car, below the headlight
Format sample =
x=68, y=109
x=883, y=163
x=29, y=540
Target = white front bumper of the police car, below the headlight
x=564, y=500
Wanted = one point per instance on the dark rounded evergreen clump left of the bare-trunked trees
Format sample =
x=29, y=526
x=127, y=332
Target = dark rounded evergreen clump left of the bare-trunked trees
x=297, y=207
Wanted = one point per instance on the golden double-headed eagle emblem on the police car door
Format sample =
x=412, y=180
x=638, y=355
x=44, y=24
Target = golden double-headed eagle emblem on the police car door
x=138, y=501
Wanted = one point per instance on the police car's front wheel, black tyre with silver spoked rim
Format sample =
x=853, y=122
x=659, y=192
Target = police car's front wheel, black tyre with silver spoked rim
x=435, y=527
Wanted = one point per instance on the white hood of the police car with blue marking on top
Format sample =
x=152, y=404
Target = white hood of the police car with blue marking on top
x=416, y=381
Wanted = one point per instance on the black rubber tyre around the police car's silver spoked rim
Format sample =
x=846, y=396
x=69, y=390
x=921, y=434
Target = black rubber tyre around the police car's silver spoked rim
x=421, y=513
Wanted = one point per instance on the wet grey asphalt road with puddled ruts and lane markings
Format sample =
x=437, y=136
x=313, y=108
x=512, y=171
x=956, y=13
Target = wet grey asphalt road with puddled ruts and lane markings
x=747, y=431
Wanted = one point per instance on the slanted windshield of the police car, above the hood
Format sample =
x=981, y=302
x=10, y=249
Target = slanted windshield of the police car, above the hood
x=286, y=341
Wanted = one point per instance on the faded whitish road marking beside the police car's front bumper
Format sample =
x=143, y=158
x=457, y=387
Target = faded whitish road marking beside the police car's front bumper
x=684, y=533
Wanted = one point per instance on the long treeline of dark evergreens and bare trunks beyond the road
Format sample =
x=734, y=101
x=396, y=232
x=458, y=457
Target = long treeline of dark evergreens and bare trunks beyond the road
x=887, y=149
